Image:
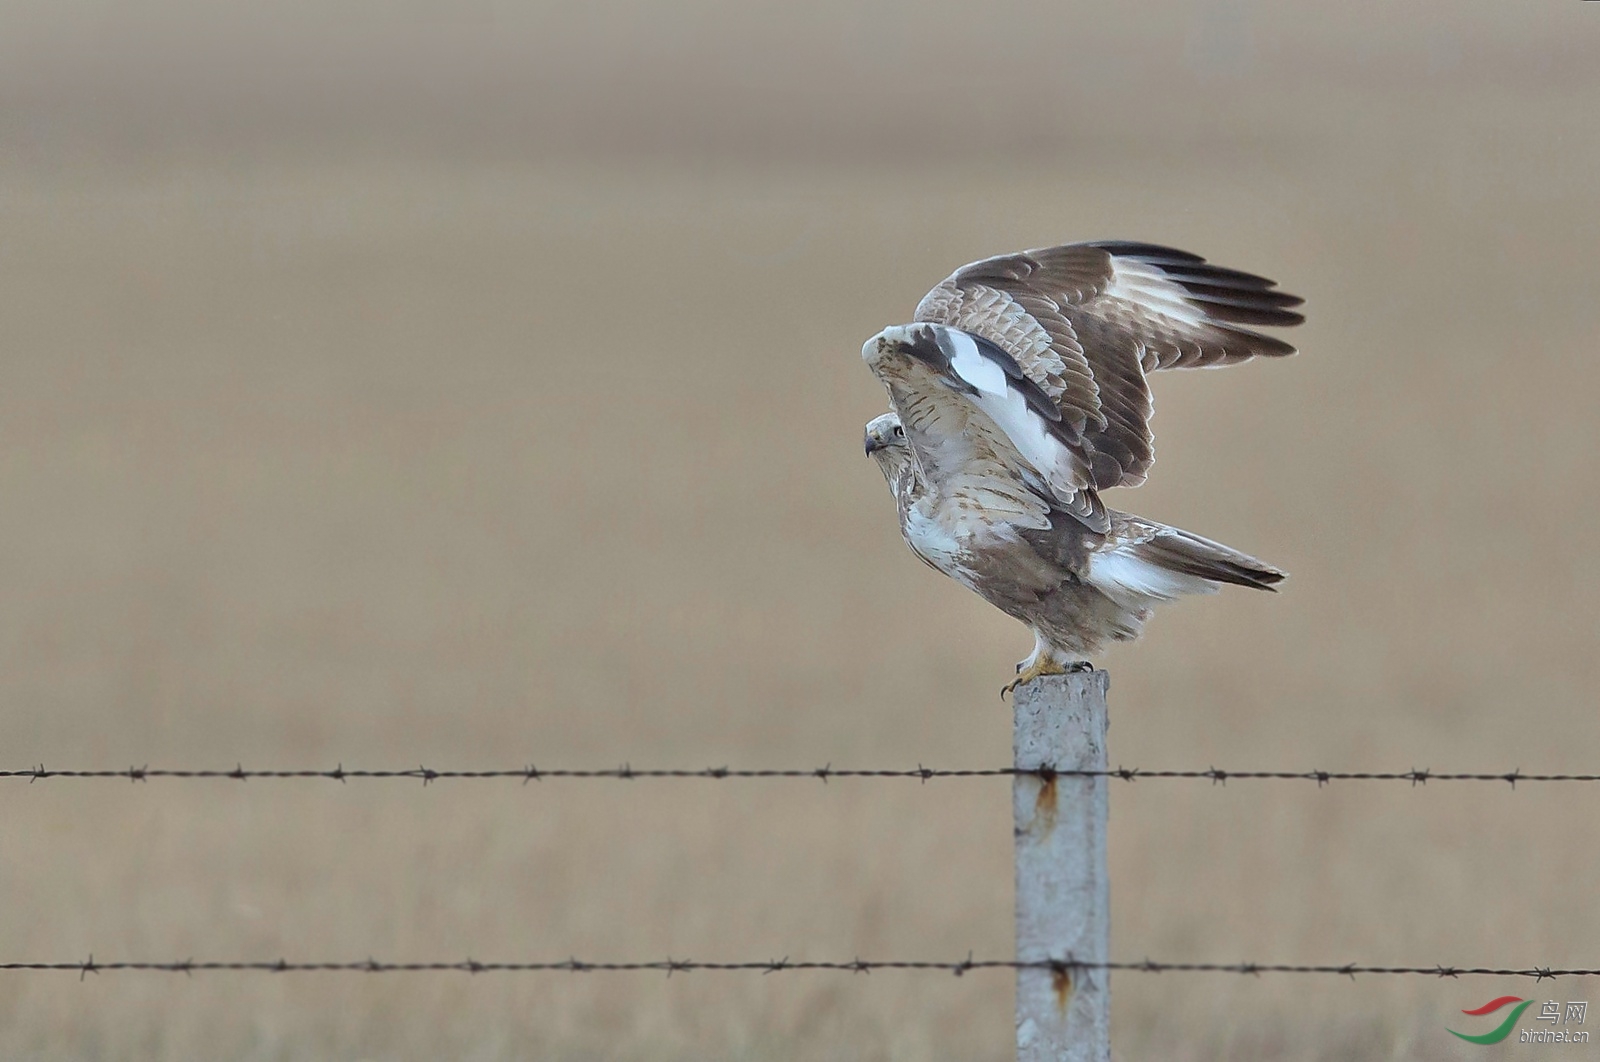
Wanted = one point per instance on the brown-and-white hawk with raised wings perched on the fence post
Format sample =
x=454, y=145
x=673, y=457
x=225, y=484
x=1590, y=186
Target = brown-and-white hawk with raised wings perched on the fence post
x=1020, y=394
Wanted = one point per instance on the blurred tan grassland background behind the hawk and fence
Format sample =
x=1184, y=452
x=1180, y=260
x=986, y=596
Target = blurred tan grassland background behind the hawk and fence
x=478, y=385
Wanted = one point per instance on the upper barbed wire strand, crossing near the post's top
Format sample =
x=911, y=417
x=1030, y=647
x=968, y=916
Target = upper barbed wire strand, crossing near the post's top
x=530, y=773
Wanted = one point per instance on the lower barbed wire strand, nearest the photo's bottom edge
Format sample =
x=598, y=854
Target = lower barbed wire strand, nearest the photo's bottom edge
x=786, y=965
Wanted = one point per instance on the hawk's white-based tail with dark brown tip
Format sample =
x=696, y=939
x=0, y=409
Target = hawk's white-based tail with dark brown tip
x=1159, y=562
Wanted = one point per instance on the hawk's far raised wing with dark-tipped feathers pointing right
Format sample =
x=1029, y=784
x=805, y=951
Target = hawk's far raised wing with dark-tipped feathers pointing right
x=1086, y=324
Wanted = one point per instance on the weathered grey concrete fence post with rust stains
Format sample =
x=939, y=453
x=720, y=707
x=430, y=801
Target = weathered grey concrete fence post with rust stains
x=1063, y=895
